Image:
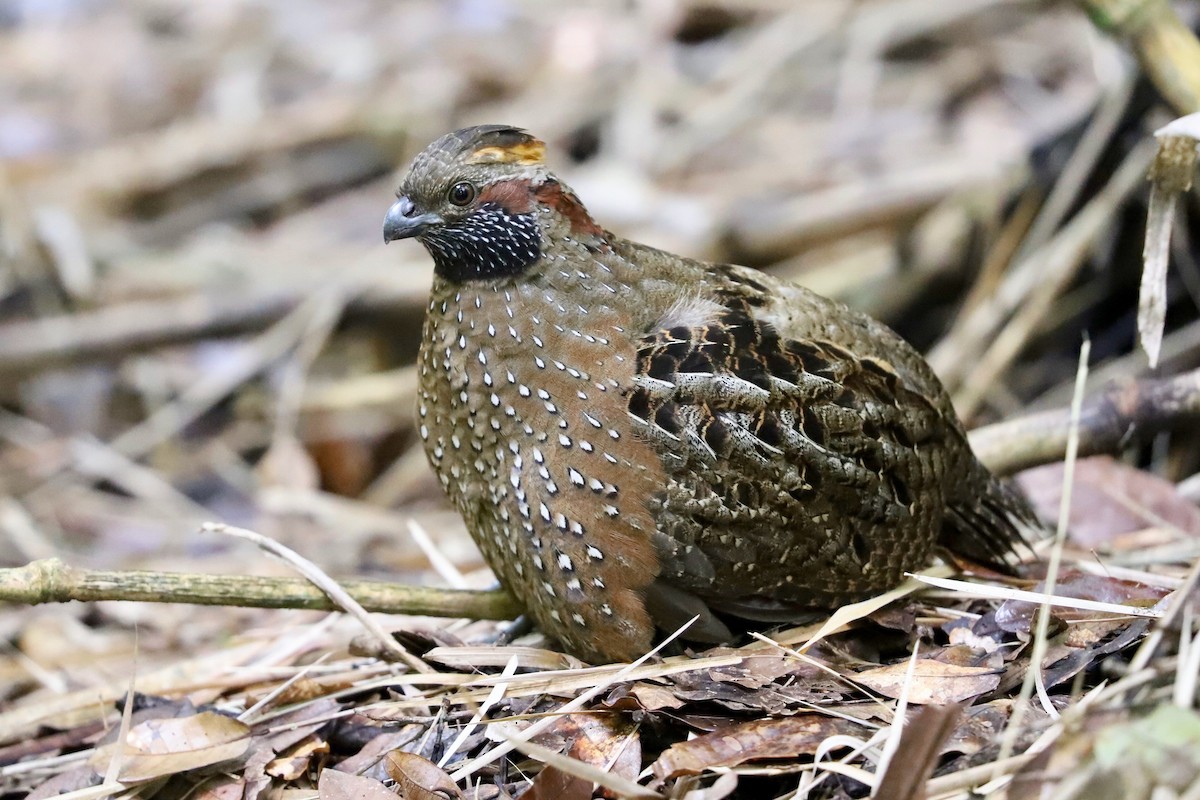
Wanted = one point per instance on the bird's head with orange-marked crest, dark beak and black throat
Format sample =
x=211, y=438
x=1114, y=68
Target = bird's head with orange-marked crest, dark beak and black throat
x=475, y=199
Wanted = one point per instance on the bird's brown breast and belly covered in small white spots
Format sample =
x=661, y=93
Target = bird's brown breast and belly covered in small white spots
x=525, y=392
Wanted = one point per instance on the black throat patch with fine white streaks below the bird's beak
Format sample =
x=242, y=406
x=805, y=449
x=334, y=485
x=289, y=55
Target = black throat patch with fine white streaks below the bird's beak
x=490, y=243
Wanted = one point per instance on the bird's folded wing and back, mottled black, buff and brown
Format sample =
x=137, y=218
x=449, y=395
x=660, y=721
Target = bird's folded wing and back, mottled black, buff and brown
x=802, y=465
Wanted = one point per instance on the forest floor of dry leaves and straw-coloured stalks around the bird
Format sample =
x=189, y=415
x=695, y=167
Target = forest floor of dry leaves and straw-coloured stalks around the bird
x=202, y=335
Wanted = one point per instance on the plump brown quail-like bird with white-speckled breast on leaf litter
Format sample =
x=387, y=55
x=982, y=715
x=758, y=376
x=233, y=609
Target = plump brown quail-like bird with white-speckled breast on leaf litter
x=639, y=441
